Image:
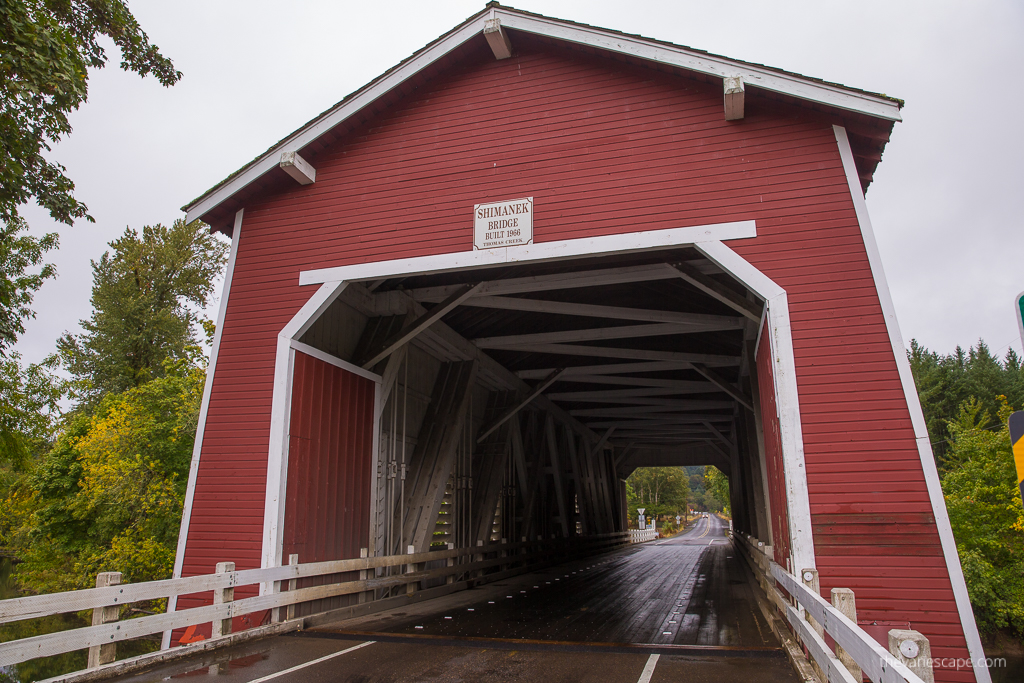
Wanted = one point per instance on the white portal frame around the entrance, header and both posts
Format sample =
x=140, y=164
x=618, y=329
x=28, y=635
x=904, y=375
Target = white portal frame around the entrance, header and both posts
x=707, y=239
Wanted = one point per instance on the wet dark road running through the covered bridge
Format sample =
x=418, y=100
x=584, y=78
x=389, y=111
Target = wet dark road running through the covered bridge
x=680, y=610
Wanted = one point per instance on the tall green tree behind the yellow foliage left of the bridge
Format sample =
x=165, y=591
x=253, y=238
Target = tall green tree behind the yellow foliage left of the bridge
x=145, y=296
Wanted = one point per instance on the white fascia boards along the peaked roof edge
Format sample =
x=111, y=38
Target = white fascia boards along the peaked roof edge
x=761, y=77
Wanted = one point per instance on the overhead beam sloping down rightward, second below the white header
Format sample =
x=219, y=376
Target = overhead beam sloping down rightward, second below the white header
x=707, y=323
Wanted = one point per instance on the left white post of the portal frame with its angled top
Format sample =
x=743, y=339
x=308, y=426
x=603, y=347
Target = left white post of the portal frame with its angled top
x=277, y=465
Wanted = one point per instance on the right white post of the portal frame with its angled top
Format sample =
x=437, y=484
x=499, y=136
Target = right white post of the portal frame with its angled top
x=787, y=397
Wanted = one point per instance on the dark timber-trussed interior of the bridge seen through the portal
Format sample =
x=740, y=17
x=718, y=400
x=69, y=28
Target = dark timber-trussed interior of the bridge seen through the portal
x=458, y=409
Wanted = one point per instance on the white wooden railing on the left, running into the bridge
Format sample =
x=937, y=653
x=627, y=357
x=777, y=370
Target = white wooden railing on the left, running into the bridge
x=466, y=566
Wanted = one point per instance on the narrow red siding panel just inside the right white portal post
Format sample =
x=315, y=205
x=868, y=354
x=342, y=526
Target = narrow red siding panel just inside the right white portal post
x=774, y=452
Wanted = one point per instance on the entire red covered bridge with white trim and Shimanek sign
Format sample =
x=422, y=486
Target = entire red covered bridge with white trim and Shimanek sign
x=466, y=303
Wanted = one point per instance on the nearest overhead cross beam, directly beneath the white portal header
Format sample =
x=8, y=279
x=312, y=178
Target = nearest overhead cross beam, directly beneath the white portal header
x=563, y=281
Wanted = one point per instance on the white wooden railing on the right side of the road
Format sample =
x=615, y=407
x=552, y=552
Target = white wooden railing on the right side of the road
x=812, y=617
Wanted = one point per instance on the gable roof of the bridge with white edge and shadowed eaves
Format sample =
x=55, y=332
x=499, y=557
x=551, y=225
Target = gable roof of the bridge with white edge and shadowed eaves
x=220, y=203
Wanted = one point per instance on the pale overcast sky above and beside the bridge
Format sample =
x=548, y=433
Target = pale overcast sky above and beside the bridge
x=946, y=202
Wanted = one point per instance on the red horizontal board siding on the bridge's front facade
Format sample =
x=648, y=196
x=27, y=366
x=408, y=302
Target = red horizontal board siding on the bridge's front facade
x=653, y=151
